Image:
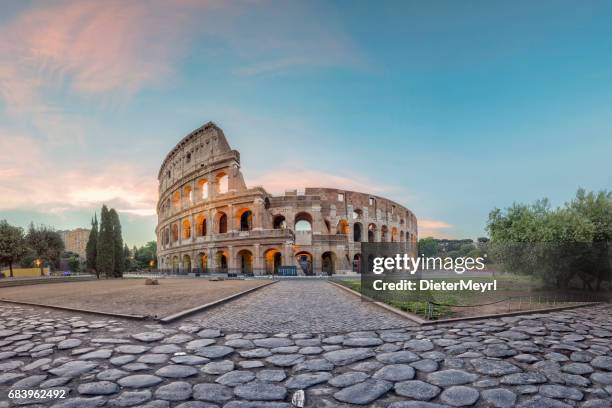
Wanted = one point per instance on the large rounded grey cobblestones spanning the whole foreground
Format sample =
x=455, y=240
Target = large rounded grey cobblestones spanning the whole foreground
x=562, y=359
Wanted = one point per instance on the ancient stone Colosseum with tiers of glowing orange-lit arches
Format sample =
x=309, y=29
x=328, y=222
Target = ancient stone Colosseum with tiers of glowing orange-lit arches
x=209, y=221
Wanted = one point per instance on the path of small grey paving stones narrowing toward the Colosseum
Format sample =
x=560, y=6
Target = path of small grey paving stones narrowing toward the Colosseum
x=297, y=306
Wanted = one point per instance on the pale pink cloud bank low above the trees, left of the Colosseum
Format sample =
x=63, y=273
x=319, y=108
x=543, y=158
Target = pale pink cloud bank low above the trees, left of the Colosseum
x=32, y=179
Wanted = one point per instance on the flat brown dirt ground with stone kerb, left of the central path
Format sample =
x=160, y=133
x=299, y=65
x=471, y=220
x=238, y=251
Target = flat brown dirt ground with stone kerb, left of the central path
x=130, y=296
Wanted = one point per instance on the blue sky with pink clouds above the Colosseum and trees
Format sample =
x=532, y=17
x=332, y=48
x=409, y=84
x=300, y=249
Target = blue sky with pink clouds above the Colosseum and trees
x=449, y=108
